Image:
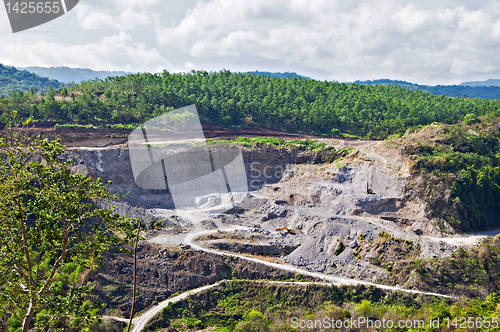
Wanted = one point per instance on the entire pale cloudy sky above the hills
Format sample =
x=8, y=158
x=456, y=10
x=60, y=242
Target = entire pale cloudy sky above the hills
x=425, y=42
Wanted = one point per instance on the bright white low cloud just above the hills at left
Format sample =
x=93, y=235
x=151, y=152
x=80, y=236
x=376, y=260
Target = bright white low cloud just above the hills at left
x=117, y=52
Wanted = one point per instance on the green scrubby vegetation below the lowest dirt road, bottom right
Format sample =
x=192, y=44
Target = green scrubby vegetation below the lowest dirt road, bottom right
x=254, y=306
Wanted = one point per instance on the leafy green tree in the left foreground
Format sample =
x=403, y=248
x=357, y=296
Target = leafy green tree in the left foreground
x=51, y=227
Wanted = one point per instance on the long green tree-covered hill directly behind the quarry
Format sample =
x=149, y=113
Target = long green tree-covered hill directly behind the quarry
x=291, y=104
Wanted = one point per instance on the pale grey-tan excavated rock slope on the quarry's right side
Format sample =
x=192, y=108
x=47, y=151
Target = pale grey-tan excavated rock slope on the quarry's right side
x=328, y=207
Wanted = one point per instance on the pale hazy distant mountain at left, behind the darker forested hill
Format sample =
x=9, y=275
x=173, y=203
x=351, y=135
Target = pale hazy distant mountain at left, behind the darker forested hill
x=76, y=75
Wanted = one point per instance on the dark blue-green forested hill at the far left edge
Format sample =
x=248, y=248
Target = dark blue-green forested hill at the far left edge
x=12, y=79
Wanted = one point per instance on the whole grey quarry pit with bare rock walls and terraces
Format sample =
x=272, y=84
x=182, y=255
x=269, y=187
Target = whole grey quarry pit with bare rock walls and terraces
x=302, y=209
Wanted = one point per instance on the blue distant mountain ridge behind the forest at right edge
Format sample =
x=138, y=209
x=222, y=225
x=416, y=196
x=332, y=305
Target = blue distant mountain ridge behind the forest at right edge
x=475, y=91
